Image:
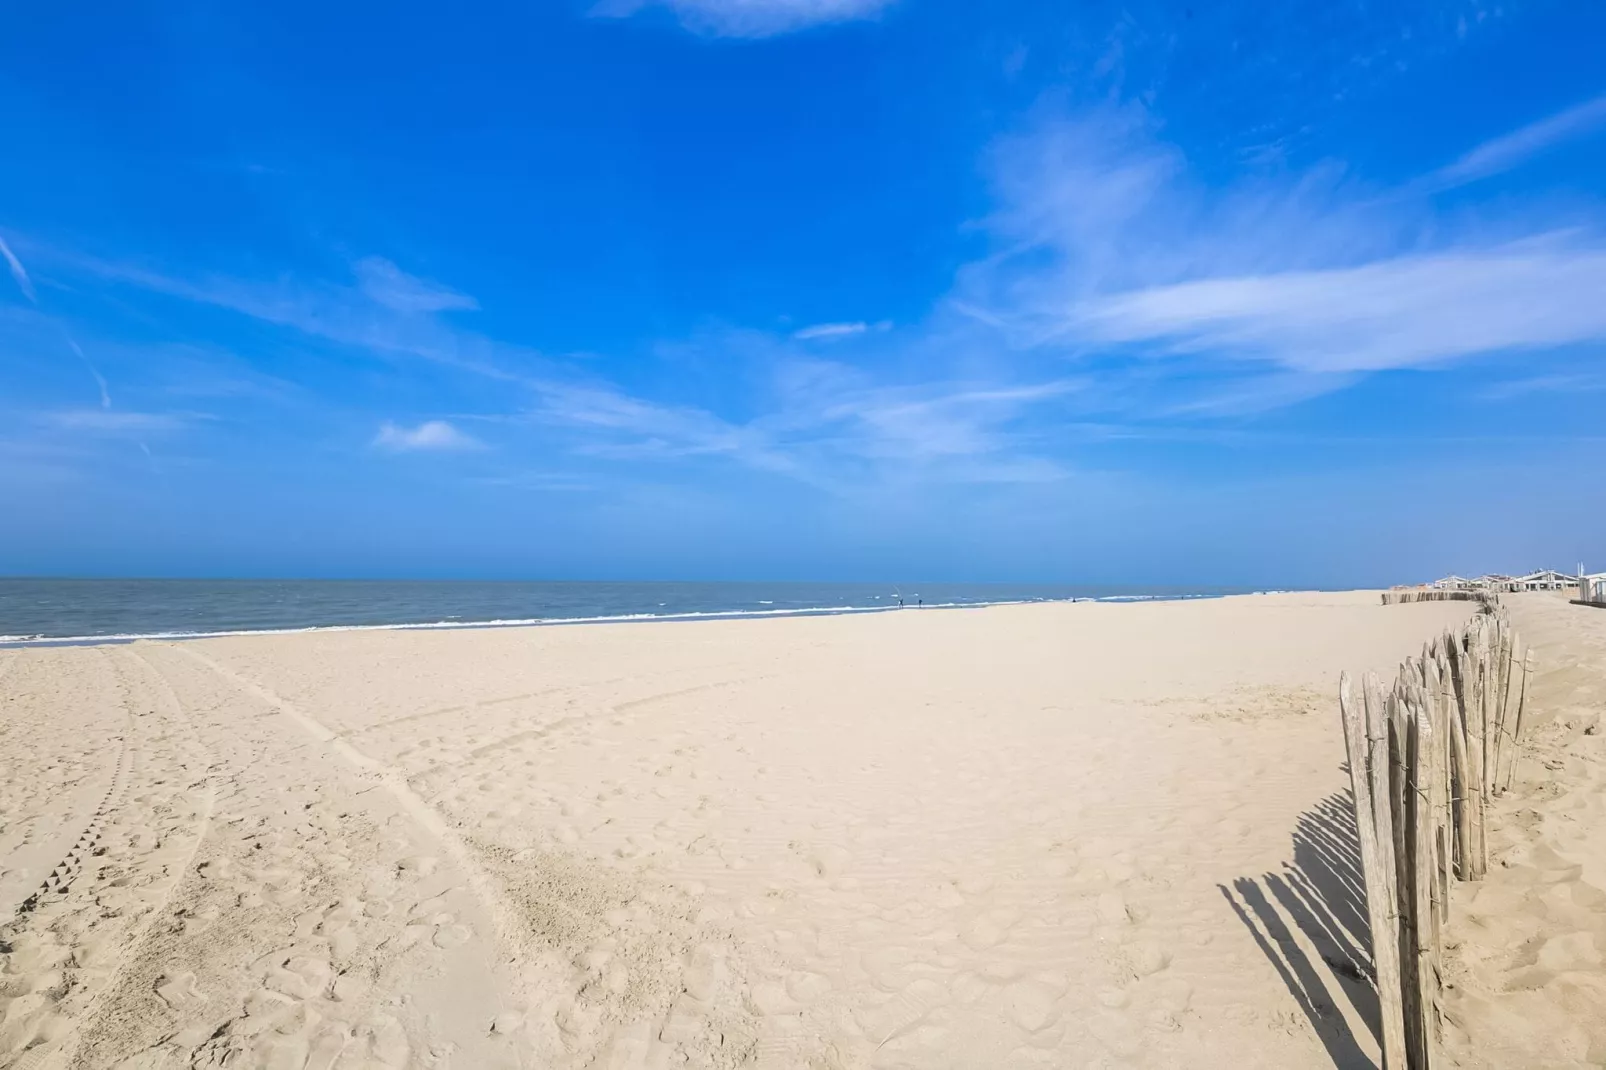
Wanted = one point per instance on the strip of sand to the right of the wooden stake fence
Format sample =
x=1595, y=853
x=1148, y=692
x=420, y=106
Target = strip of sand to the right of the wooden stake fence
x=1530, y=978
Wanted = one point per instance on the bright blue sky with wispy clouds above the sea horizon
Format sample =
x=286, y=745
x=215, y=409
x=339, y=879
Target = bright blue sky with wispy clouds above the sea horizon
x=1147, y=293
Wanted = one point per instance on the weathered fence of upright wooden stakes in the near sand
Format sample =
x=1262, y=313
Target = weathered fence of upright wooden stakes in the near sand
x=1425, y=759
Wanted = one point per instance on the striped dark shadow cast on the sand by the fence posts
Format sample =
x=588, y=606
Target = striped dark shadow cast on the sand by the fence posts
x=1323, y=894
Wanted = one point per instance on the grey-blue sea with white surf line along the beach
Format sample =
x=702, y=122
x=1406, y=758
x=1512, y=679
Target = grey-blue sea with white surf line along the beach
x=46, y=611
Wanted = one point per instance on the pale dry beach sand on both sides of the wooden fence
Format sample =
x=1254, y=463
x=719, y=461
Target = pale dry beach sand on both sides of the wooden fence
x=1037, y=836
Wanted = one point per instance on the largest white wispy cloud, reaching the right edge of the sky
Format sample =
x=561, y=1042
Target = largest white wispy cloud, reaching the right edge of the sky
x=1107, y=245
